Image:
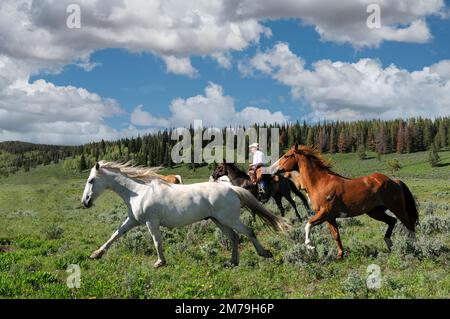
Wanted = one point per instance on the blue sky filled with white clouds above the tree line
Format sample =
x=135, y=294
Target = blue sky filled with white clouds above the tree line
x=285, y=65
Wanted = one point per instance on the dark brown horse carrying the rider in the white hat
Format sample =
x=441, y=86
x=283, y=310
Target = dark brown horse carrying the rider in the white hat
x=278, y=190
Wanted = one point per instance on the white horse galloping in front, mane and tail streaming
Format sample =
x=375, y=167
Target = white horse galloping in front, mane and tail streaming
x=154, y=202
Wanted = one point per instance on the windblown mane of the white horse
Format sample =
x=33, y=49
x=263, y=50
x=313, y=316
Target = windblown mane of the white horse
x=141, y=173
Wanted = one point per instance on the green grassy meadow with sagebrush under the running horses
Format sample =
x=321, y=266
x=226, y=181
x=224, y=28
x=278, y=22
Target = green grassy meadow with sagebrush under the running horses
x=43, y=229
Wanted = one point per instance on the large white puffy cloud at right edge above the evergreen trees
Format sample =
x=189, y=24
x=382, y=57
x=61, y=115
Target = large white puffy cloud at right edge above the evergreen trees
x=347, y=91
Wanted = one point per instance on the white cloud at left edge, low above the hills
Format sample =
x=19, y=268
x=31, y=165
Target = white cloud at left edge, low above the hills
x=43, y=112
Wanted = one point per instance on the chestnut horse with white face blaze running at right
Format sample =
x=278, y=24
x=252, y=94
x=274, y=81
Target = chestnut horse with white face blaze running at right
x=334, y=196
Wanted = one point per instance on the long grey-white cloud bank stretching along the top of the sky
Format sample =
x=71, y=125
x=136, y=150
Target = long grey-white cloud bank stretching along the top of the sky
x=36, y=30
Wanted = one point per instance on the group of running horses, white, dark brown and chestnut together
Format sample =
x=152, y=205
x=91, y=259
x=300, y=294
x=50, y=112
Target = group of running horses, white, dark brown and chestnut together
x=154, y=200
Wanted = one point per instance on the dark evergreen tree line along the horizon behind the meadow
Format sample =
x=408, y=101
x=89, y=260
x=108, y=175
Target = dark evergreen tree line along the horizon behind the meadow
x=380, y=136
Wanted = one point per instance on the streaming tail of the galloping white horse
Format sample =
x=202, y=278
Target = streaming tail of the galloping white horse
x=249, y=201
